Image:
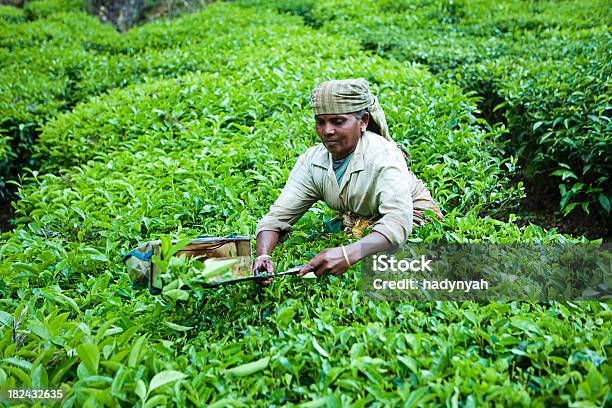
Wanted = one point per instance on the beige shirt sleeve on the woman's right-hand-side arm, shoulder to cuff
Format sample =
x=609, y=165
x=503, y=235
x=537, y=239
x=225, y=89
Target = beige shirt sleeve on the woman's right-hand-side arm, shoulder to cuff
x=393, y=188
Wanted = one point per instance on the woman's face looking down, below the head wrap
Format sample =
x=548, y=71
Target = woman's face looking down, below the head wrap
x=340, y=133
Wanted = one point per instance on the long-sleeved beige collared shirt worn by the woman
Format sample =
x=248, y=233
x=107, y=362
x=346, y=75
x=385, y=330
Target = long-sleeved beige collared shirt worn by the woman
x=377, y=184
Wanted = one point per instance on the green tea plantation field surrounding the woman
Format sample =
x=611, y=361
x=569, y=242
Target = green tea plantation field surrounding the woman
x=191, y=126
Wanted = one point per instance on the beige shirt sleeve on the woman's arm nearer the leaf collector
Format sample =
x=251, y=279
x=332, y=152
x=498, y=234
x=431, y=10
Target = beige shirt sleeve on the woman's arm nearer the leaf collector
x=295, y=199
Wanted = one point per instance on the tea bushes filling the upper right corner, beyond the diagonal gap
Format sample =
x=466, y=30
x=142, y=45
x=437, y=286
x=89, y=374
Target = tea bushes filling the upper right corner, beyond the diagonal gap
x=543, y=66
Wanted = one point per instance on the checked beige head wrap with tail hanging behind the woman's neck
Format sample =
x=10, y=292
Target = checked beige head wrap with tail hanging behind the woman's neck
x=347, y=96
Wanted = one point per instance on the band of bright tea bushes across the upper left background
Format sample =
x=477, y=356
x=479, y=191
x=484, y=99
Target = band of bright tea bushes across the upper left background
x=53, y=63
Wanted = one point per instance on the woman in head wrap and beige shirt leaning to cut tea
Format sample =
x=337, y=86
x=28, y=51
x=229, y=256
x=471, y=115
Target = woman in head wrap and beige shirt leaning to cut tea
x=357, y=168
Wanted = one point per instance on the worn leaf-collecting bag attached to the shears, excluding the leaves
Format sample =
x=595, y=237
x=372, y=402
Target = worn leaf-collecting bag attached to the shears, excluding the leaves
x=144, y=273
